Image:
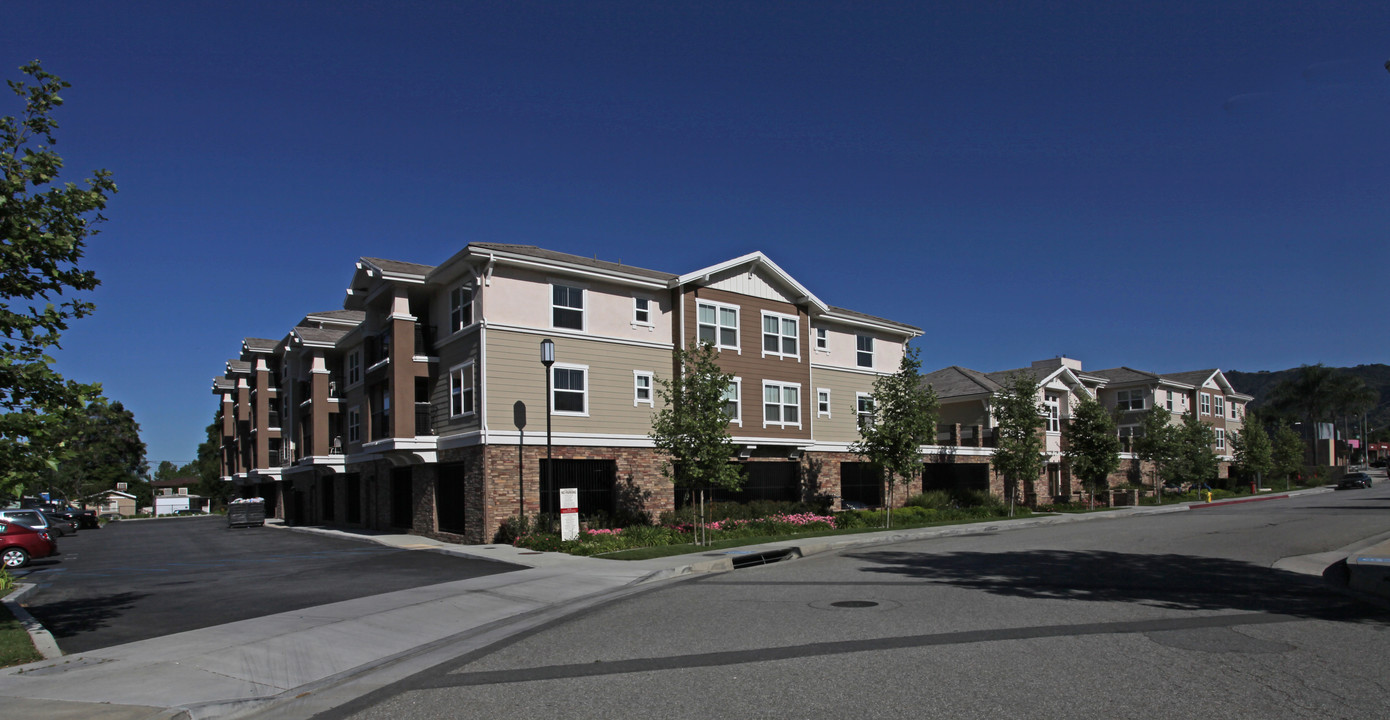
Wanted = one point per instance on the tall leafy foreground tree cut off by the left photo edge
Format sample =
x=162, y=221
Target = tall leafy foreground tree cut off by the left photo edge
x=44, y=231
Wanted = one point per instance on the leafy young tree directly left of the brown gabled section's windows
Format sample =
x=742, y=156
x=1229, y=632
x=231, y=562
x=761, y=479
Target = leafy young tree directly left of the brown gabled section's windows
x=693, y=425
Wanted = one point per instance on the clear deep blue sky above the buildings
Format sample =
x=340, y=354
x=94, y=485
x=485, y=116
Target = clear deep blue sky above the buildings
x=1167, y=186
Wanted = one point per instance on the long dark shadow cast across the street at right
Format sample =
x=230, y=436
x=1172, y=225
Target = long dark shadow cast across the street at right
x=1171, y=582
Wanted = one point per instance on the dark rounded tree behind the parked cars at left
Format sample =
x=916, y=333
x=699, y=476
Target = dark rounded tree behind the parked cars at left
x=105, y=448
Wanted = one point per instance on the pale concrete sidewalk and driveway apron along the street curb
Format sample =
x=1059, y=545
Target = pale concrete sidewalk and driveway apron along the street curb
x=300, y=664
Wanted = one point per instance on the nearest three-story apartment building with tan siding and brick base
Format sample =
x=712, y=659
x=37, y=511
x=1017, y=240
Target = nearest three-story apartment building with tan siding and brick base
x=423, y=405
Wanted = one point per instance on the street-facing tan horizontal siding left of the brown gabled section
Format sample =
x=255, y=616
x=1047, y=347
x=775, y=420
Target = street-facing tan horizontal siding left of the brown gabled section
x=515, y=373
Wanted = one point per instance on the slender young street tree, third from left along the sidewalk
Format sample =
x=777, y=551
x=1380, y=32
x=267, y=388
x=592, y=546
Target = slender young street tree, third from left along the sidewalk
x=1018, y=445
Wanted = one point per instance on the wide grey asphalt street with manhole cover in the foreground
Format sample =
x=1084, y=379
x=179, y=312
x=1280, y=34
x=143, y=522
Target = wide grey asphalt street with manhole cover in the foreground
x=1161, y=616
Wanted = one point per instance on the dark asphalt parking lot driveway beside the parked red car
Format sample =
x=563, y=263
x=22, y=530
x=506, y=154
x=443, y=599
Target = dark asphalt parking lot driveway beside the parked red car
x=144, y=579
